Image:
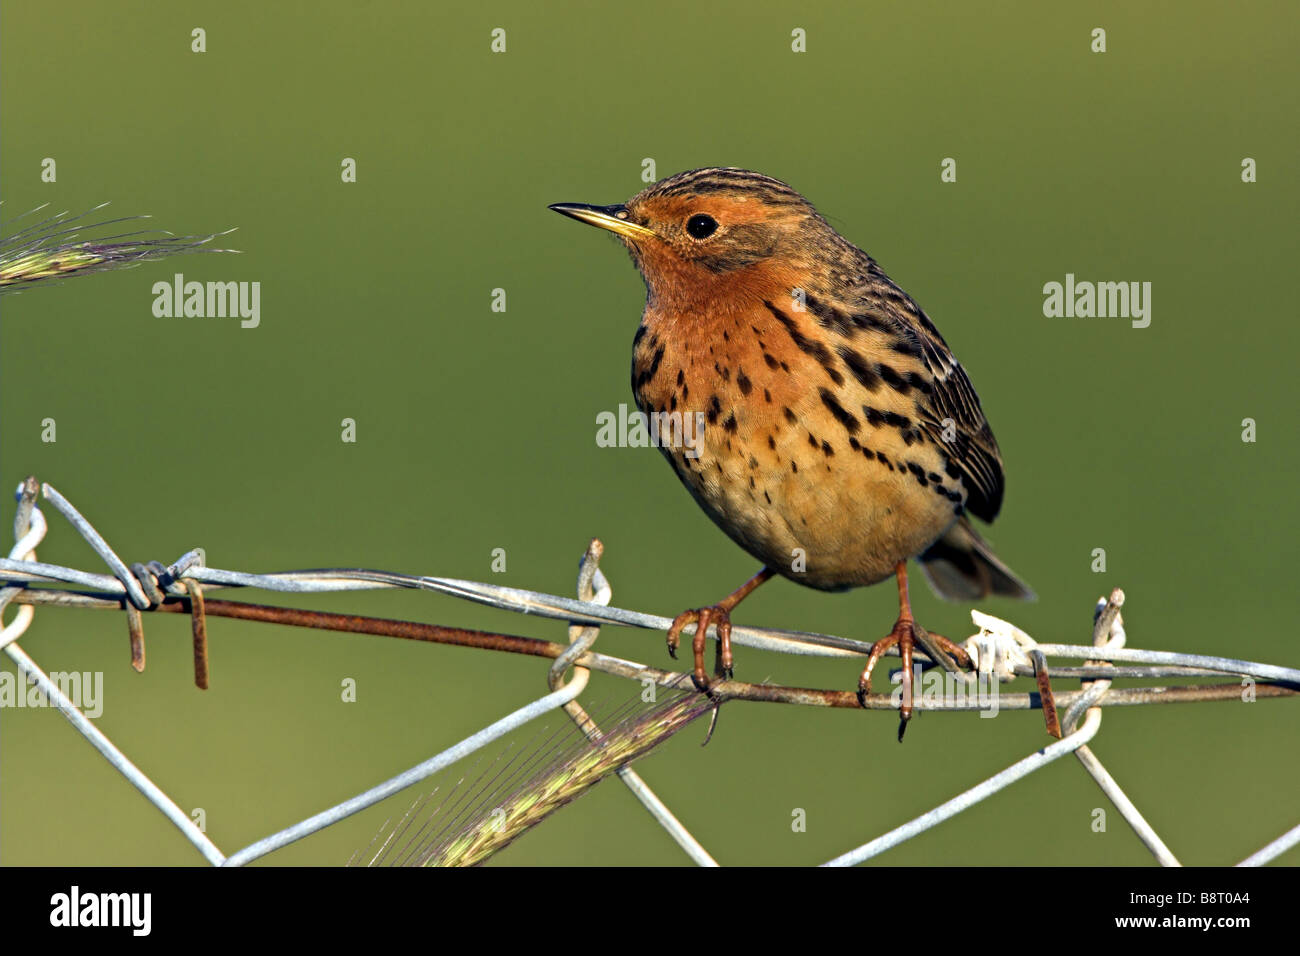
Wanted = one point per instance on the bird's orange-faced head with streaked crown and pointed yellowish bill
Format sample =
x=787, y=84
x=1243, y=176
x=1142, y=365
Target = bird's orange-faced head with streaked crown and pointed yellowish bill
x=713, y=230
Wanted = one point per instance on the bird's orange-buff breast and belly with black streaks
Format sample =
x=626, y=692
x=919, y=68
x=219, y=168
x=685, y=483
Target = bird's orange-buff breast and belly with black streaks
x=761, y=416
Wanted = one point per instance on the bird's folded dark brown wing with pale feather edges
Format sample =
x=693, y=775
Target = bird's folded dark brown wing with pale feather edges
x=948, y=412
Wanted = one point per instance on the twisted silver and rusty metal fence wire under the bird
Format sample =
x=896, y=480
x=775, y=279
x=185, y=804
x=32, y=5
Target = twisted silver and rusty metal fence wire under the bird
x=1000, y=652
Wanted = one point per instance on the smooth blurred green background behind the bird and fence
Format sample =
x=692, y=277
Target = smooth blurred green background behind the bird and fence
x=476, y=430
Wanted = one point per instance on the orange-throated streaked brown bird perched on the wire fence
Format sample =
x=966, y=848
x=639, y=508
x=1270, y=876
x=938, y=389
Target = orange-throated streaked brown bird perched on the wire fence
x=839, y=435
